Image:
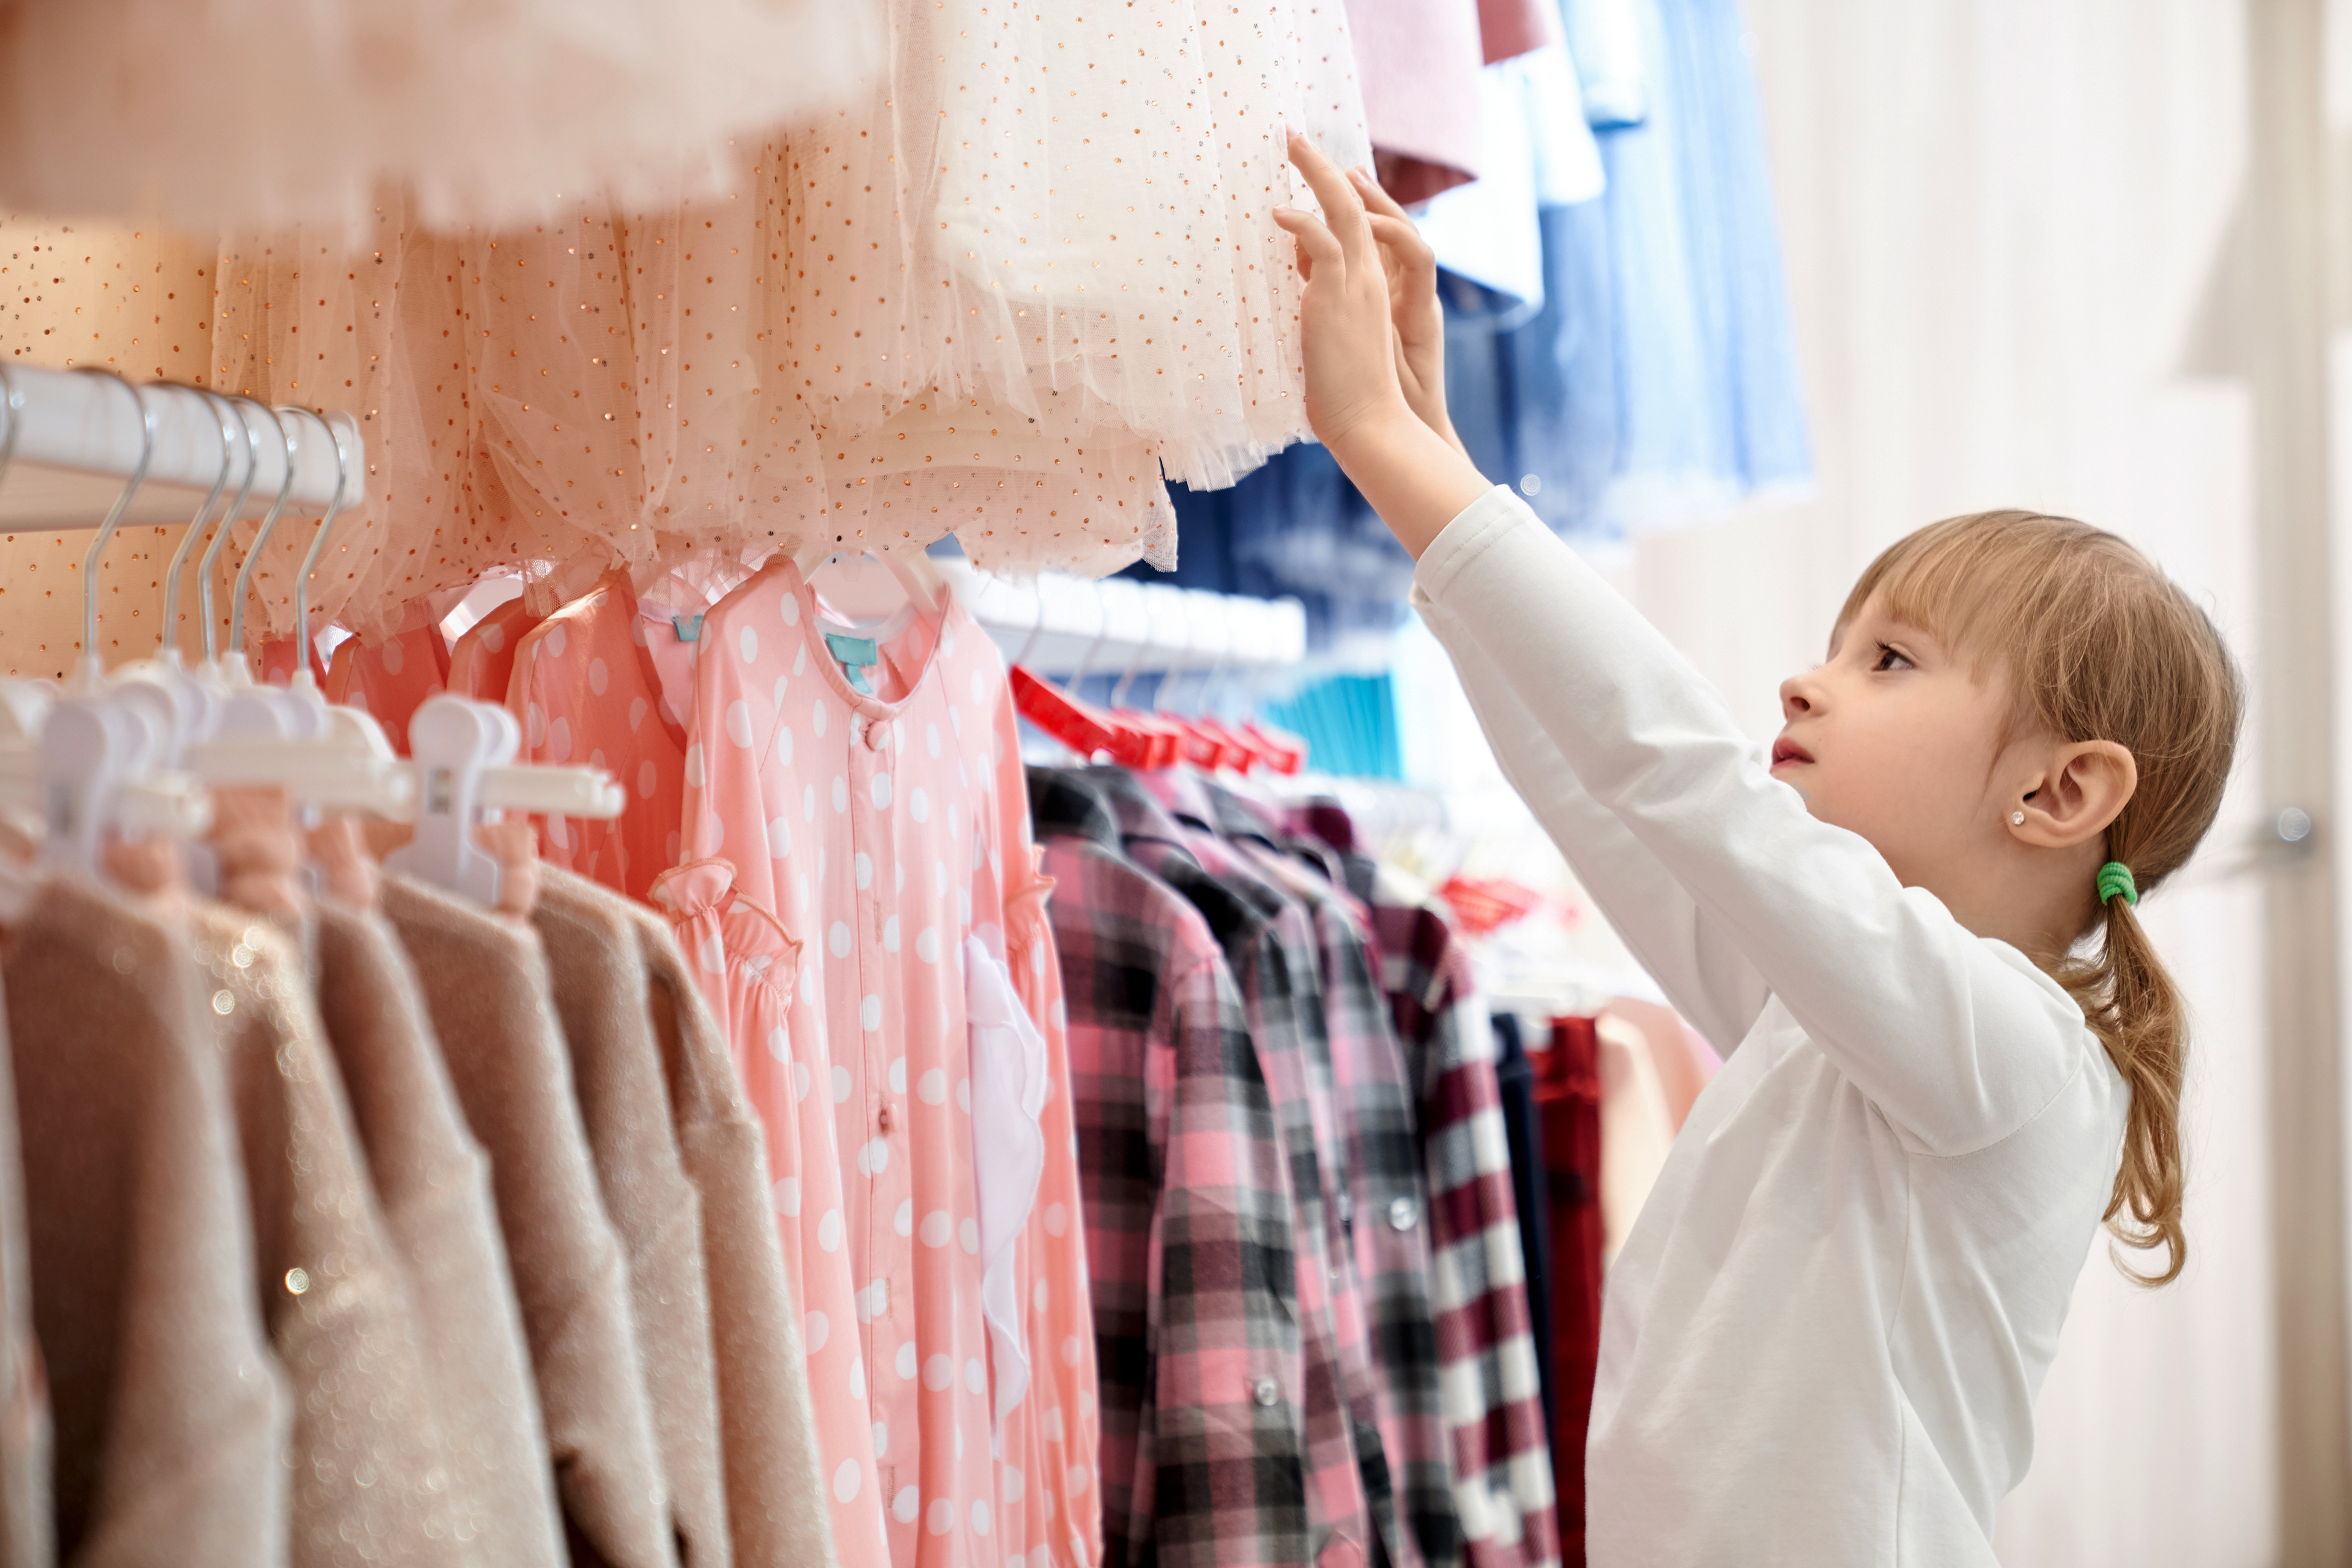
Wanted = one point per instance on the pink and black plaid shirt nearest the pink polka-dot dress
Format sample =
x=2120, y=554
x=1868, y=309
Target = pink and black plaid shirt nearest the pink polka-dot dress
x=1189, y=1217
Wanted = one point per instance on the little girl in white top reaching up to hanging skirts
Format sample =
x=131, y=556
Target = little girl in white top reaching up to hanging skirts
x=1958, y=1052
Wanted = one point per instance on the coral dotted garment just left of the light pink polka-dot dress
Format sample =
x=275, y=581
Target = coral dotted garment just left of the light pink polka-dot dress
x=587, y=692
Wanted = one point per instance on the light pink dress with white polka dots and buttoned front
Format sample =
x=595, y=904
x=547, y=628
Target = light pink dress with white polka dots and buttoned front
x=886, y=829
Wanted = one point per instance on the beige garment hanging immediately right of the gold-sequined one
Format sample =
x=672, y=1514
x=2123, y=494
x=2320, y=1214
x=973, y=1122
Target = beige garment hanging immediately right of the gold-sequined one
x=434, y=1184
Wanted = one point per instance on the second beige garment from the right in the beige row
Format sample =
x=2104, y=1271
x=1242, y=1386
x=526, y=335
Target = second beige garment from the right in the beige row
x=617, y=1071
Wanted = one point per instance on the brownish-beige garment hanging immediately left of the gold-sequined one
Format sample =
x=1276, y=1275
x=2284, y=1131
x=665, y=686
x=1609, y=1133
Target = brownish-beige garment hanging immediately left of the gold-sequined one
x=173, y=1416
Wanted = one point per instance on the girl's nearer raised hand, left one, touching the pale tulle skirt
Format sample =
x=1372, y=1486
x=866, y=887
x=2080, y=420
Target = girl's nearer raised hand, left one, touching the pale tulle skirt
x=1344, y=311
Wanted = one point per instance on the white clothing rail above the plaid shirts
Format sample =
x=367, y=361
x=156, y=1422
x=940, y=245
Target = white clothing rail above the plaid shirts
x=1057, y=624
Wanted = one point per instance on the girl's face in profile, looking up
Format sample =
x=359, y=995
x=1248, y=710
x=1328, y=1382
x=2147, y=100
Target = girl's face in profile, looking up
x=1895, y=739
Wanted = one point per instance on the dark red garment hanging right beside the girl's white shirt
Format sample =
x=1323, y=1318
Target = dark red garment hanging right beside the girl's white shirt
x=1570, y=1101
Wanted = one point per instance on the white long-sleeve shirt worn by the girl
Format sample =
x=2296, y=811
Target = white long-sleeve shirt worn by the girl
x=1824, y=1339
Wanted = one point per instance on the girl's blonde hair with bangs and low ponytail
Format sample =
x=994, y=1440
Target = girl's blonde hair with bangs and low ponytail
x=2099, y=645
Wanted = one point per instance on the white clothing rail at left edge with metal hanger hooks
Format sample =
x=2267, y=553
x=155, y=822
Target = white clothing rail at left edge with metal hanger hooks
x=79, y=438
